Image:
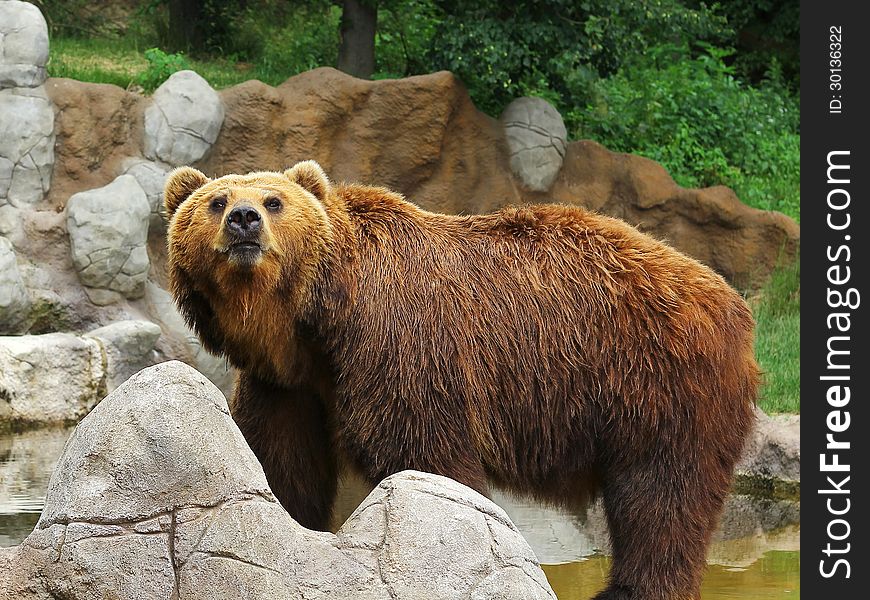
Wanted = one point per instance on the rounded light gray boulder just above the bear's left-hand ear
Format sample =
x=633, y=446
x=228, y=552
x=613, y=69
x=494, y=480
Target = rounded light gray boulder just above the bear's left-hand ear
x=183, y=120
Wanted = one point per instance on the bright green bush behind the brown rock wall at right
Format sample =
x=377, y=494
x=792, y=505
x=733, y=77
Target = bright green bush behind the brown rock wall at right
x=705, y=126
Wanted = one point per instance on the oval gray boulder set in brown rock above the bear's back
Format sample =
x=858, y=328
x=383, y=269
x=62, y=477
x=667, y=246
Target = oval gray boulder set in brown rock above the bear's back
x=537, y=141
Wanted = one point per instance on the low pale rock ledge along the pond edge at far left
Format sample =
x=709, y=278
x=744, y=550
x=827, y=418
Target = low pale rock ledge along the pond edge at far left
x=58, y=377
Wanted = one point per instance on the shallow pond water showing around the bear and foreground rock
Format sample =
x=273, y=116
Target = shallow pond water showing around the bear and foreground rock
x=754, y=555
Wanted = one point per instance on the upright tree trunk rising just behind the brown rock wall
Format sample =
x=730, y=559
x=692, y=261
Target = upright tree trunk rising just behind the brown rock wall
x=356, y=55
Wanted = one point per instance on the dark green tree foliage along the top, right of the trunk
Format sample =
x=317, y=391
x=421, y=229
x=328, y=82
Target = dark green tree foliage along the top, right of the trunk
x=554, y=48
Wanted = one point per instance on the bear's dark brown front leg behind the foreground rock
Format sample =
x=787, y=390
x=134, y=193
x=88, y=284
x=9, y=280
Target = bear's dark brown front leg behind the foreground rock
x=287, y=430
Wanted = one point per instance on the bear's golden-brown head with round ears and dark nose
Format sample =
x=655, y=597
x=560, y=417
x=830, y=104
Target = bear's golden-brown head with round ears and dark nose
x=240, y=228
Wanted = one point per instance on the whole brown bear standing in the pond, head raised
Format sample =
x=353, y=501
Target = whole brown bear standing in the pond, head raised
x=546, y=349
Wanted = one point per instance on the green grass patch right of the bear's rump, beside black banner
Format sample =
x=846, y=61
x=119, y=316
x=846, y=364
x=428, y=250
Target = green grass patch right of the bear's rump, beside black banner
x=778, y=340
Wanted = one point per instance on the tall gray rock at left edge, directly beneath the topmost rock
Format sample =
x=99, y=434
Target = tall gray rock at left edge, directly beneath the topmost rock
x=26, y=144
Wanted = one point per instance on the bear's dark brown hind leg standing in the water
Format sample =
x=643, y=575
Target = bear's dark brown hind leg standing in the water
x=661, y=514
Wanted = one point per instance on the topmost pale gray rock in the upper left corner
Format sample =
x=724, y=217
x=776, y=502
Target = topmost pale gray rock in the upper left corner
x=23, y=44
